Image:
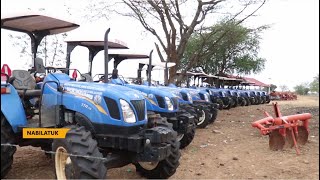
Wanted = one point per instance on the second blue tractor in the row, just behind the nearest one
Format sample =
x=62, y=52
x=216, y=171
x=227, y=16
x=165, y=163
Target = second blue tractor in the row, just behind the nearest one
x=158, y=102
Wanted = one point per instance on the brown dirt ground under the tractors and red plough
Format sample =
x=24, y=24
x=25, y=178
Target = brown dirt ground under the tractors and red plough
x=228, y=149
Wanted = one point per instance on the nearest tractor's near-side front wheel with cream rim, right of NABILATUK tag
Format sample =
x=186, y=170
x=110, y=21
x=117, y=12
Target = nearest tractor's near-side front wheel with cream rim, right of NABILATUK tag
x=87, y=162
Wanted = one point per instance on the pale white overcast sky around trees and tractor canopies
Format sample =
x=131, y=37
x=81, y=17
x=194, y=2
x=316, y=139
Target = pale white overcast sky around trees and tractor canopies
x=290, y=46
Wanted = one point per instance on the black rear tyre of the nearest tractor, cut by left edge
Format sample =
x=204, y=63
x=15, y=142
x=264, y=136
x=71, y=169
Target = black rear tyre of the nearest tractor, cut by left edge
x=7, y=137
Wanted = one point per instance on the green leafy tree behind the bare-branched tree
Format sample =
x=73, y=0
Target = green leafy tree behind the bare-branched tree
x=237, y=50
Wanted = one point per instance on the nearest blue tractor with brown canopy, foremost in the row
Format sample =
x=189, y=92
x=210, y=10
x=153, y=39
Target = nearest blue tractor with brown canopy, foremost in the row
x=108, y=124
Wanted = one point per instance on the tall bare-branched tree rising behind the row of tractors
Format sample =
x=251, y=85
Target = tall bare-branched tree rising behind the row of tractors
x=176, y=30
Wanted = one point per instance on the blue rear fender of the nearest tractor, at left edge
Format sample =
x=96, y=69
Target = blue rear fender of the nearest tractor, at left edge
x=12, y=109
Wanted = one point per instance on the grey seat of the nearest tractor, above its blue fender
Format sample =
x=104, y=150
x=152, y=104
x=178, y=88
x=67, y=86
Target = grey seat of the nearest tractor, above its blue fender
x=25, y=84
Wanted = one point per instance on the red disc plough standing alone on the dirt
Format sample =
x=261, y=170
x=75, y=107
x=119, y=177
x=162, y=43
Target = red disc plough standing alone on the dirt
x=292, y=129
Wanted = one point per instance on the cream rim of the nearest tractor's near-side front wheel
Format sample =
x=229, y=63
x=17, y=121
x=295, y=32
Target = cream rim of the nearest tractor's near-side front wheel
x=62, y=159
